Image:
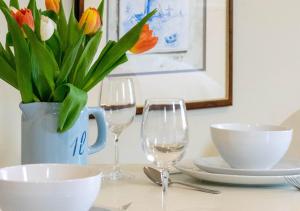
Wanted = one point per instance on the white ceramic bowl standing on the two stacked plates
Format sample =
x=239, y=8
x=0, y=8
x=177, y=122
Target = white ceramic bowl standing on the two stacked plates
x=246, y=146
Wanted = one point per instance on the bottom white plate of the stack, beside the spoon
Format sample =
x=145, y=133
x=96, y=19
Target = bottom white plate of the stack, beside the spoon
x=230, y=179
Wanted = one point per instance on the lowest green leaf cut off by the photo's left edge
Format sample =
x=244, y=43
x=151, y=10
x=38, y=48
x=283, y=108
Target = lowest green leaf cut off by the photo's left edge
x=7, y=73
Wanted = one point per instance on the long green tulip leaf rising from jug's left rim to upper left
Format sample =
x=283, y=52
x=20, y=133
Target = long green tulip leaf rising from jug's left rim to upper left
x=22, y=58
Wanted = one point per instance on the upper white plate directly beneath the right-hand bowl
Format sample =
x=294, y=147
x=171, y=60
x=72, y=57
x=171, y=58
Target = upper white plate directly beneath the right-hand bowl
x=218, y=166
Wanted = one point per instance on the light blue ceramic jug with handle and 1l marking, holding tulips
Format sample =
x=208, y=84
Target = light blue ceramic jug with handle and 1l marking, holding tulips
x=41, y=143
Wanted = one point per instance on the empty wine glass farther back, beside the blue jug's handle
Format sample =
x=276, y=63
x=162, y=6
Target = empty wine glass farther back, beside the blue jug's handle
x=118, y=100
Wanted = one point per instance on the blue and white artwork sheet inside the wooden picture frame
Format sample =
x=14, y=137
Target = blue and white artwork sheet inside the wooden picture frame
x=170, y=24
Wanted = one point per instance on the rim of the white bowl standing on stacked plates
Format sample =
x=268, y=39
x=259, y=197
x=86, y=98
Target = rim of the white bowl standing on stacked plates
x=276, y=128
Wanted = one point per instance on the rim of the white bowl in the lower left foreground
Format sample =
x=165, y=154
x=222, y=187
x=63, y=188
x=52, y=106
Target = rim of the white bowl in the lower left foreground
x=98, y=173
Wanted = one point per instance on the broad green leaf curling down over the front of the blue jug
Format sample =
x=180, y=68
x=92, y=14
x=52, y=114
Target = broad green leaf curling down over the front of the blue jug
x=73, y=101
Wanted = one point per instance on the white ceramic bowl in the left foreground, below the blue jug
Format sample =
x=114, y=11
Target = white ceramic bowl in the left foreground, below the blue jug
x=48, y=187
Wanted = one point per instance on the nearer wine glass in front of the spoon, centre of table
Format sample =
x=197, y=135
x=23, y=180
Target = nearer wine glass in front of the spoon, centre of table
x=164, y=135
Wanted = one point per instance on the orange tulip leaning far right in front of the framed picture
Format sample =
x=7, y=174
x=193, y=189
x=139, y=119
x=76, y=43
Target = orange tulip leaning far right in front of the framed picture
x=146, y=41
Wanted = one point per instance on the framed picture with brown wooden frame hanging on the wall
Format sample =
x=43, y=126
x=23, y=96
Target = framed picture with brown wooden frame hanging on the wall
x=193, y=58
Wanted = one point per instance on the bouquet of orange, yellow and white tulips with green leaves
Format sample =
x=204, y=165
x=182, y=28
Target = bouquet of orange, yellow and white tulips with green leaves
x=50, y=59
